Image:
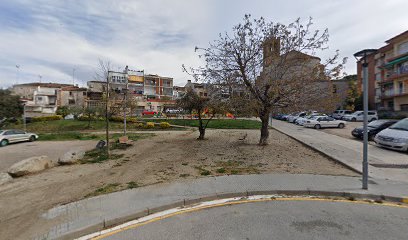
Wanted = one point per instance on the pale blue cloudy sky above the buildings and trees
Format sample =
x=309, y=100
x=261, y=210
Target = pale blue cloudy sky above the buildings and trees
x=61, y=41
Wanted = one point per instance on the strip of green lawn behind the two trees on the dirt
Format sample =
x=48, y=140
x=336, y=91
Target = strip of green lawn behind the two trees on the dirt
x=215, y=123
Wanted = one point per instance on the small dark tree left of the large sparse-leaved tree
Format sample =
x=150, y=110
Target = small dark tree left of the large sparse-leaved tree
x=192, y=102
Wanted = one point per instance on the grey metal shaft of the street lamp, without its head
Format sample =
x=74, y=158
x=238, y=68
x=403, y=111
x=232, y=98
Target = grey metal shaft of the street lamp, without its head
x=365, y=145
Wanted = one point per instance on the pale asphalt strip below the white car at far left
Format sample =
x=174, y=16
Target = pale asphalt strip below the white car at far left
x=13, y=153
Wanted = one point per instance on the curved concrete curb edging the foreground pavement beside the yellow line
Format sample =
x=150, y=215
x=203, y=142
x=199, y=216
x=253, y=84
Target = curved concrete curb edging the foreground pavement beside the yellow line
x=187, y=202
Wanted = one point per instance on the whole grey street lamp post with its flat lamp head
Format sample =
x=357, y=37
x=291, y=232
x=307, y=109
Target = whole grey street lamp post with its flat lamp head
x=362, y=55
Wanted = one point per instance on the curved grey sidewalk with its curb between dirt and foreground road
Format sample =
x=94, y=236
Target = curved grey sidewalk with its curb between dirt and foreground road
x=94, y=214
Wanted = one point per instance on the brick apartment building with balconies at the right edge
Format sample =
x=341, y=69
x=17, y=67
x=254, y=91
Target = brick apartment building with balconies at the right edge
x=388, y=75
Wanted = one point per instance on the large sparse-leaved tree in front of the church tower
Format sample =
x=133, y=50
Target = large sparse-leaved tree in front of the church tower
x=273, y=61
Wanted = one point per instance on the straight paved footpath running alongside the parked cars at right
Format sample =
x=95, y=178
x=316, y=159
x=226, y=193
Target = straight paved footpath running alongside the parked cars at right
x=383, y=163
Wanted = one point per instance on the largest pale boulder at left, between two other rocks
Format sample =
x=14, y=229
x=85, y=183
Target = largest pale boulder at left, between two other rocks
x=29, y=165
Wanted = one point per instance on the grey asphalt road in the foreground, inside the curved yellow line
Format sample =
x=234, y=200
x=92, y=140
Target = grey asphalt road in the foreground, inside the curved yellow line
x=279, y=220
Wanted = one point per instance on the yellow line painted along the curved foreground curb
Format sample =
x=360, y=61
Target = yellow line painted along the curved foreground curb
x=246, y=201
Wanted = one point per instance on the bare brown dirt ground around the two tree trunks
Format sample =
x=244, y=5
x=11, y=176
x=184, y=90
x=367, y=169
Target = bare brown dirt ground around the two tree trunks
x=165, y=157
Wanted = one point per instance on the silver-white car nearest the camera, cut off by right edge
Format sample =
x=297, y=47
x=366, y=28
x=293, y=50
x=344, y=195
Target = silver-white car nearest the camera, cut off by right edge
x=394, y=137
